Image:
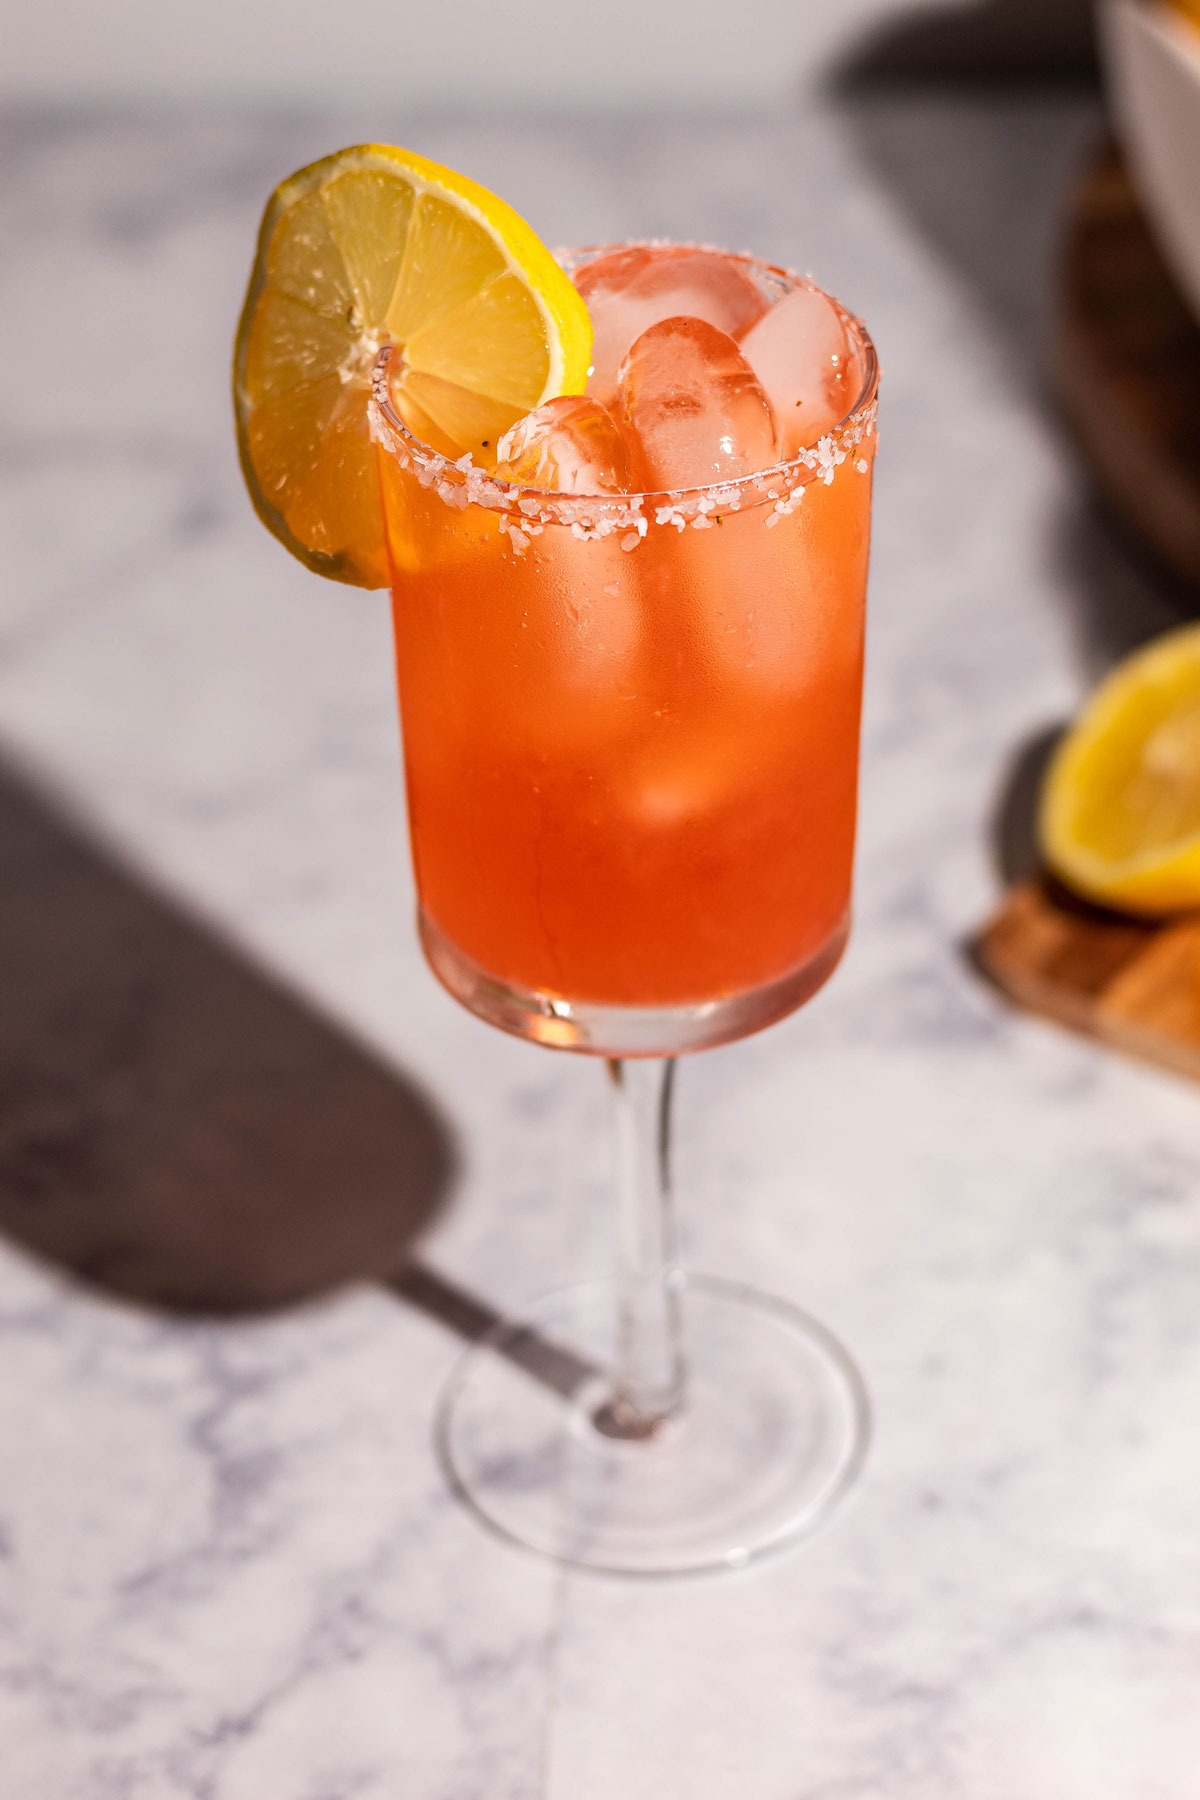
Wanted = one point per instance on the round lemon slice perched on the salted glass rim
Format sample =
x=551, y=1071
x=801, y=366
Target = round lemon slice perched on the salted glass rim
x=370, y=247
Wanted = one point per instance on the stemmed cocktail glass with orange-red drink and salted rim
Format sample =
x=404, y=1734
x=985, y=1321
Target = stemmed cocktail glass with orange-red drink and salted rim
x=631, y=735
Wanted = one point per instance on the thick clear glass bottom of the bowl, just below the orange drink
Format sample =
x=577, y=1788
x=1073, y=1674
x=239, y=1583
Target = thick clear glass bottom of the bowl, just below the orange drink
x=623, y=1030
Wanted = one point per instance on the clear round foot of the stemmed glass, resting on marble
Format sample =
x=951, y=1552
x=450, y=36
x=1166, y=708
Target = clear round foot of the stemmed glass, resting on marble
x=773, y=1434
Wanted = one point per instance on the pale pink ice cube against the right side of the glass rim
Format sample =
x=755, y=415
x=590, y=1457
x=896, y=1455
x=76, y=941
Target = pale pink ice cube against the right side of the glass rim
x=803, y=357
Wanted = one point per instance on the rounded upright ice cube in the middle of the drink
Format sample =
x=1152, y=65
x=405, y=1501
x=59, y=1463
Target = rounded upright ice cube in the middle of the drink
x=695, y=409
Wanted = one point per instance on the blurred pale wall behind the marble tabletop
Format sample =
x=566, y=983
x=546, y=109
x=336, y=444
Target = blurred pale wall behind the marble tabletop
x=476, y=55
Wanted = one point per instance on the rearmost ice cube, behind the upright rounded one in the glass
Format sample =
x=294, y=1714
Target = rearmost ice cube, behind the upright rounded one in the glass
x=634, y=289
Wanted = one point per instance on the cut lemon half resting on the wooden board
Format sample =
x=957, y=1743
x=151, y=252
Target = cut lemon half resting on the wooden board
x=1122, y=804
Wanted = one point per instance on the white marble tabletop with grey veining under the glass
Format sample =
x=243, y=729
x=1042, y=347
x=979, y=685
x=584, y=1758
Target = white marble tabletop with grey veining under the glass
x=229, y=1569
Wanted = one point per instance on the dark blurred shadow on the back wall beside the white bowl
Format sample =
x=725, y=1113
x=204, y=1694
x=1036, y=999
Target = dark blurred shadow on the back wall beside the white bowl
x=998, y=40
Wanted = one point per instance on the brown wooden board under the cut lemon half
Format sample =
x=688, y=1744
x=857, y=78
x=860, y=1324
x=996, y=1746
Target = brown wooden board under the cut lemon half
x=1133, y=985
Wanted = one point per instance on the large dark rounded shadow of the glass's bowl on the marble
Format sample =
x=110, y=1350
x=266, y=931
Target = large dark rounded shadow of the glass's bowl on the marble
x=175, y=1126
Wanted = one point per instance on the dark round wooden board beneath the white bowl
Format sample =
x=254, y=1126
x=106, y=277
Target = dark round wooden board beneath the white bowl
x=1129, y=368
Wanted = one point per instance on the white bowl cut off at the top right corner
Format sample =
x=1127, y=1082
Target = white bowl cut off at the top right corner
x=1152, y=62
